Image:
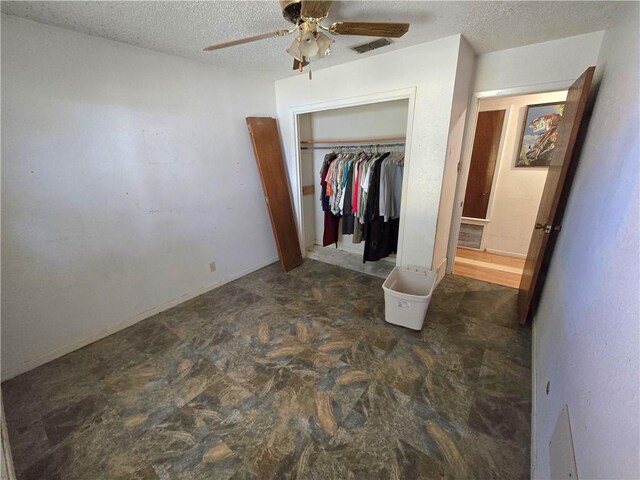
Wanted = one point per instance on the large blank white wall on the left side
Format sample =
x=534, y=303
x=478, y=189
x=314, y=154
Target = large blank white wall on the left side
x=124, y=173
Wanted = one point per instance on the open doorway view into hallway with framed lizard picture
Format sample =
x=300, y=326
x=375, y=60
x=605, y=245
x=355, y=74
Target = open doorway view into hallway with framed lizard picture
x=512, y=145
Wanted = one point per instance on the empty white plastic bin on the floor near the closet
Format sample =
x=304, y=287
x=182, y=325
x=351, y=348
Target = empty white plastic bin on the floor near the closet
x=406, y=296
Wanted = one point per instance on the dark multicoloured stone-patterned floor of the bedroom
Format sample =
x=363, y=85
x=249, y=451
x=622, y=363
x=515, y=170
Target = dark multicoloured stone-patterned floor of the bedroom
x=287, y=376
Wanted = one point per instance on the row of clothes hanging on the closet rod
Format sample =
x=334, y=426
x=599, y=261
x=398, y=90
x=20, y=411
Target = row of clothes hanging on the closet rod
x=363, y=192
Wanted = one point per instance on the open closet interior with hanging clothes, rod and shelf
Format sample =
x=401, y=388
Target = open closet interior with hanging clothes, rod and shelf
x=352, y=173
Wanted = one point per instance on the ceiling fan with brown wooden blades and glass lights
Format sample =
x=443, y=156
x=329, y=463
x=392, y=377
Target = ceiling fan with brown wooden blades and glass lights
x=311, y=43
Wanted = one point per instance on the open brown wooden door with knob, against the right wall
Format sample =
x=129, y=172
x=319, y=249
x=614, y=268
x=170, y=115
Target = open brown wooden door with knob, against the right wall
x=554, y=196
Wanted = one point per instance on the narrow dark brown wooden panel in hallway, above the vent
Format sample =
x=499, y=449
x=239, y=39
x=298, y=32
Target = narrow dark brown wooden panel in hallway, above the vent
x=483, y=163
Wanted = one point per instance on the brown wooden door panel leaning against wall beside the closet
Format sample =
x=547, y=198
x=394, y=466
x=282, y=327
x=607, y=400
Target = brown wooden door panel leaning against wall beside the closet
x=268, y=153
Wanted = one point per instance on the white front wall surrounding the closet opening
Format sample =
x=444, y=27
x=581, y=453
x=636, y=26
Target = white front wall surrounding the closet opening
x=428, y=68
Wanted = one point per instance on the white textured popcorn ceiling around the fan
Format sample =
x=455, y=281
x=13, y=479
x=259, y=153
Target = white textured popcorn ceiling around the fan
x=184, y=28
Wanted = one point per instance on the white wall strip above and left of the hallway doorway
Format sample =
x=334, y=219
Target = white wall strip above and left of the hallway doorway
x=542, y=67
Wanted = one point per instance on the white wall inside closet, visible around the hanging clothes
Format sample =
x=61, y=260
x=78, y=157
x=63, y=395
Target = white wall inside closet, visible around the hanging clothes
x=375, y=120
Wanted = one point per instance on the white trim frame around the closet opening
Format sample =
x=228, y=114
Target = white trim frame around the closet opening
x=408, y=94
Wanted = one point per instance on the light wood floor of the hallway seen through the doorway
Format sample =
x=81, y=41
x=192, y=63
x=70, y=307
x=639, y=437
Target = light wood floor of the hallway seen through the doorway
x=488, y=267
